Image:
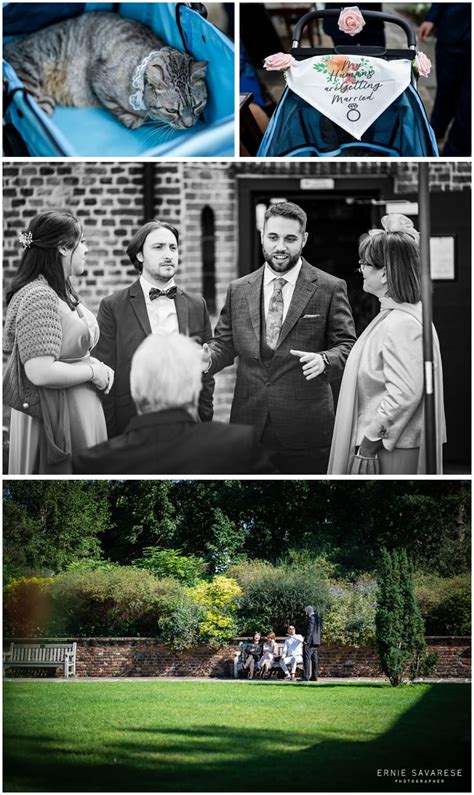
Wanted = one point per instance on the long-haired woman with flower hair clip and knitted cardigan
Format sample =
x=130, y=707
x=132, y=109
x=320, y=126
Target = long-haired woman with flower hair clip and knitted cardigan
x=51, y=382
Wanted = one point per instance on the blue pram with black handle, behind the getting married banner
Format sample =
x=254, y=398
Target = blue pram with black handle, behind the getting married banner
x=297, y=129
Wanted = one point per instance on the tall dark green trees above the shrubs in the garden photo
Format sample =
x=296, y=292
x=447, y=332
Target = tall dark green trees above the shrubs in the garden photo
x=48, y=524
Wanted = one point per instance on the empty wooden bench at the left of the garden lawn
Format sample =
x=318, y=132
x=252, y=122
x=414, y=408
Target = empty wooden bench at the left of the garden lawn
x=41, y=655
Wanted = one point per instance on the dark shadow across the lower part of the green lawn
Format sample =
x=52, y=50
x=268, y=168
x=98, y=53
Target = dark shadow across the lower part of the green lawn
x=216, y=758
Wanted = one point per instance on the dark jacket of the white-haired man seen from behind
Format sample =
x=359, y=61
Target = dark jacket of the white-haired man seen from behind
x=170, y=442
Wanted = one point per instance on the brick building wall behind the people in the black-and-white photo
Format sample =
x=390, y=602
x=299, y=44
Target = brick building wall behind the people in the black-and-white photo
x=109, y=199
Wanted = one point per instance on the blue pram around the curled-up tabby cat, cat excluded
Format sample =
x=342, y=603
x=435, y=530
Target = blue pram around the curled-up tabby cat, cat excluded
x=28, y=131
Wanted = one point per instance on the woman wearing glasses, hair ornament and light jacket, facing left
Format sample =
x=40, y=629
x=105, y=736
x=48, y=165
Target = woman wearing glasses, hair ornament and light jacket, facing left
x=379, y=426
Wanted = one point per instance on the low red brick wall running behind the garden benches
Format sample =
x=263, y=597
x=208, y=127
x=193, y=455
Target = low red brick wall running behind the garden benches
x=148, y=657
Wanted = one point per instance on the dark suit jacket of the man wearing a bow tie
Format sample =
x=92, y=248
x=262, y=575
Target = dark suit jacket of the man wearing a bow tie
x=124, y=324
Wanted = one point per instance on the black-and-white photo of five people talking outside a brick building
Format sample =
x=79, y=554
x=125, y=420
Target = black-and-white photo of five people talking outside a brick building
x=211, y=319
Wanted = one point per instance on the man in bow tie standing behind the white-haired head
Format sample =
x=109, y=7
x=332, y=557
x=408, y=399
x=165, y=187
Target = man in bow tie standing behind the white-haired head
x=152, y=304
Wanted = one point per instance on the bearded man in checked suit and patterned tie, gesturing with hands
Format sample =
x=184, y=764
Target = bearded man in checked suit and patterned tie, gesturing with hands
x=291, y=326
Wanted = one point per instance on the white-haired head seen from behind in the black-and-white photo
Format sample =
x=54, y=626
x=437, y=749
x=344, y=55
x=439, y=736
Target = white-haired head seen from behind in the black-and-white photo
x=166, y=373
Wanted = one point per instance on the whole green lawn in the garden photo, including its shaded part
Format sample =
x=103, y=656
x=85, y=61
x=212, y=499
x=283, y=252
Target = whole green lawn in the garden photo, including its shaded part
x=229, y=736
